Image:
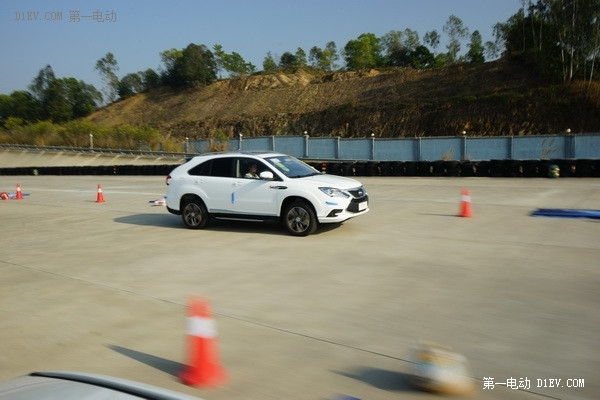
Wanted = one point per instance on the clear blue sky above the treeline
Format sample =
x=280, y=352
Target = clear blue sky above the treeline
x=71, y=36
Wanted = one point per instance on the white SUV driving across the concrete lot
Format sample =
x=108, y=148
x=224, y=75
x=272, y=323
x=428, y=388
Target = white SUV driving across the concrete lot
x=261, y=186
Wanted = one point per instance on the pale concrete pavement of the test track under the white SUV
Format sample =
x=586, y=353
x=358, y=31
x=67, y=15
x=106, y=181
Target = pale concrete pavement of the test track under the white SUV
x=103, y=288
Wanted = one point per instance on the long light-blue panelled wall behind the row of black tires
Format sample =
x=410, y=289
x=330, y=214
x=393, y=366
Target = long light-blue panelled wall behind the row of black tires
x=567, y=146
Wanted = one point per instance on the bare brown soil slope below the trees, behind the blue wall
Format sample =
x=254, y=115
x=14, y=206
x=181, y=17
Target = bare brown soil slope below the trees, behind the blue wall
x=490, y=99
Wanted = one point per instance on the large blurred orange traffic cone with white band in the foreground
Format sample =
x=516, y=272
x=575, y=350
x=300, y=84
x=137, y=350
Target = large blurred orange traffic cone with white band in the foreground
x=203, y=368
